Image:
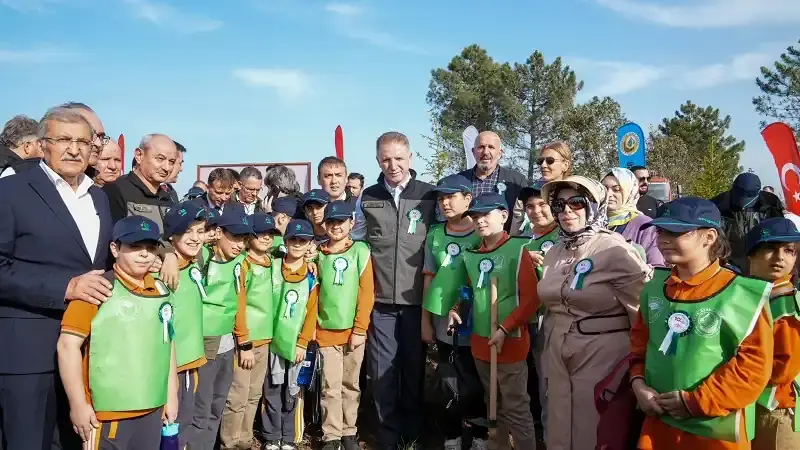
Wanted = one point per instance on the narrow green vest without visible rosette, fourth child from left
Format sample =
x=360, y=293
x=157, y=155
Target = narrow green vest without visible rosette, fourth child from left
x=260, y=303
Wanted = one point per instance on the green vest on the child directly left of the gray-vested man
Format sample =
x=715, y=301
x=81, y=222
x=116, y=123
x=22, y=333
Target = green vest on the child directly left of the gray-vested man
x=339, y=277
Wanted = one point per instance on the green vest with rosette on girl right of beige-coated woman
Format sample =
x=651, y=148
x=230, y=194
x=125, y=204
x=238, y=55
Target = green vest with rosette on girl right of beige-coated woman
x=717, y=327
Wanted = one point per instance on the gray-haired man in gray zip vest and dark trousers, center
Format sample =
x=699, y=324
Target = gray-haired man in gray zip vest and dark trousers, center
x=393, y=216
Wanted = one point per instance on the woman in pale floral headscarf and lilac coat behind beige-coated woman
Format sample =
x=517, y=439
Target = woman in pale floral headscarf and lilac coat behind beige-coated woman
x=622, y=192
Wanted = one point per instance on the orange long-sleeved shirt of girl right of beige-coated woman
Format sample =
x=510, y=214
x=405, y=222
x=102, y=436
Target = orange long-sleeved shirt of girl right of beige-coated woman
x=733, y=386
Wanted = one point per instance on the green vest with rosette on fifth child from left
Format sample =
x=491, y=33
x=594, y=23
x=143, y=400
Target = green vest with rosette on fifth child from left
x=290, y=312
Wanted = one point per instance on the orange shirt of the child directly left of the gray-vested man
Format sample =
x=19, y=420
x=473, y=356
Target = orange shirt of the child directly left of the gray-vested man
x=365, y=301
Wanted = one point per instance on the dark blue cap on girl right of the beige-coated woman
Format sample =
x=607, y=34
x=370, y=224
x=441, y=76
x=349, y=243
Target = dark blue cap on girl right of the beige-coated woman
x=687, y=214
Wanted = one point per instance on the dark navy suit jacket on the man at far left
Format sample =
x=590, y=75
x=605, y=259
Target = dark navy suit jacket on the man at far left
x=41, y=249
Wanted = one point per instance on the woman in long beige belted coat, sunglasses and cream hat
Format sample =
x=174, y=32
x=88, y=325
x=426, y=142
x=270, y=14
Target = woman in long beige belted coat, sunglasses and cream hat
x=591, y=285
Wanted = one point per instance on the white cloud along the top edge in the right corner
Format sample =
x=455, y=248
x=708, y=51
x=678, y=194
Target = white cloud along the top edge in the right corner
x=709, y=13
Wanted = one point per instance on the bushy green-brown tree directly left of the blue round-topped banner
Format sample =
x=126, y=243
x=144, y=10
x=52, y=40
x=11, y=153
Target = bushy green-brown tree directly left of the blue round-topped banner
x=590, y=129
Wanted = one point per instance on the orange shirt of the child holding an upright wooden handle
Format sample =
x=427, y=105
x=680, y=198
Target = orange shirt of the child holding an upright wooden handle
x=515, y=349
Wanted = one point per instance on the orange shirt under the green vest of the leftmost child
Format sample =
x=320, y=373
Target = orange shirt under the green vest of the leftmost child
x=78, y=322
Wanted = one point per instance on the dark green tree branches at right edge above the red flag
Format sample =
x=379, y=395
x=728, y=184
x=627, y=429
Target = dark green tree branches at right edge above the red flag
x=780, y=90
